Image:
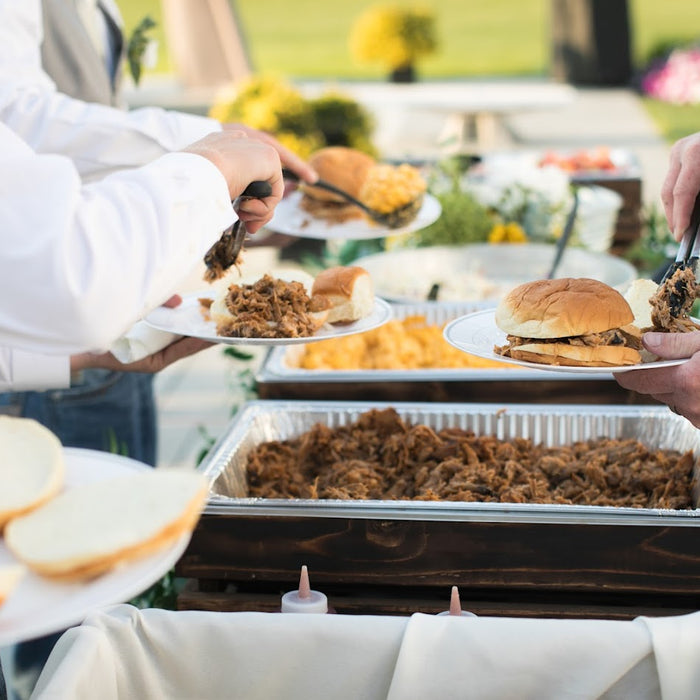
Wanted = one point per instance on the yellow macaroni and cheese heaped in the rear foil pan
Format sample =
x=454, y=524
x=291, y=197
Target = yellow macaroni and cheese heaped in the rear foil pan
x=410, y=343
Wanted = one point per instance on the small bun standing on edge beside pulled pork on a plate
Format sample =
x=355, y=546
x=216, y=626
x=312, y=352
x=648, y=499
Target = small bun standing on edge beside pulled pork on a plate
x=349, y=290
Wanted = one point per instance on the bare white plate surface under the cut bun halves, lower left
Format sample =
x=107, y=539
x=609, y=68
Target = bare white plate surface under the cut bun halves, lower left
x=39, y=606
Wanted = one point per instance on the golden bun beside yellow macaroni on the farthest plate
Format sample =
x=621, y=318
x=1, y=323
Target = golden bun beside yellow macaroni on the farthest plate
x=343, y=167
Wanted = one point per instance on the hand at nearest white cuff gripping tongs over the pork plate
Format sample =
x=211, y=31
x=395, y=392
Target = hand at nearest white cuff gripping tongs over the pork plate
x=241, y=161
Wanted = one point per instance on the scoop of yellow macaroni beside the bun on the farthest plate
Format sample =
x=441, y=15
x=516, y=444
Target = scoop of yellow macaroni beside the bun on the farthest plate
x=389, y=187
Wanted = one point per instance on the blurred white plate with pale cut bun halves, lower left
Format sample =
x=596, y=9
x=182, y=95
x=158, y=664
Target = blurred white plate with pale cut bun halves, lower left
x=44, y=600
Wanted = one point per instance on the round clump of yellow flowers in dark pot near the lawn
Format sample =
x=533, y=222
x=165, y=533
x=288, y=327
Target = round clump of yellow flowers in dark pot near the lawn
x=393, y=36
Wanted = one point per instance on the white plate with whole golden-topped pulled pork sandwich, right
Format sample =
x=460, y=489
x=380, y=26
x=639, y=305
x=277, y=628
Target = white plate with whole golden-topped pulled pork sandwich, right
x=574, y=325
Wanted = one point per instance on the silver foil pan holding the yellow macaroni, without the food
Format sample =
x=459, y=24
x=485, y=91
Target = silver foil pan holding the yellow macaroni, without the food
x=282, y=362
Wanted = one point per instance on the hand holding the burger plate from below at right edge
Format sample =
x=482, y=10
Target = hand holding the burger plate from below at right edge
x=678, y=387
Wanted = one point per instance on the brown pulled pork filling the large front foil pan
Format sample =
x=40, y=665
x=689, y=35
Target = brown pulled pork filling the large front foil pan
x=382, y=457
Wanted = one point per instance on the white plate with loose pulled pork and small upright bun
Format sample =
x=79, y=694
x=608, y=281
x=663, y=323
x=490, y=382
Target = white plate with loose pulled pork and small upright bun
x=286, y=307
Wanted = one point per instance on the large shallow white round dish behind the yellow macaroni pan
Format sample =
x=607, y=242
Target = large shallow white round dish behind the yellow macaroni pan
x=482, y=272
